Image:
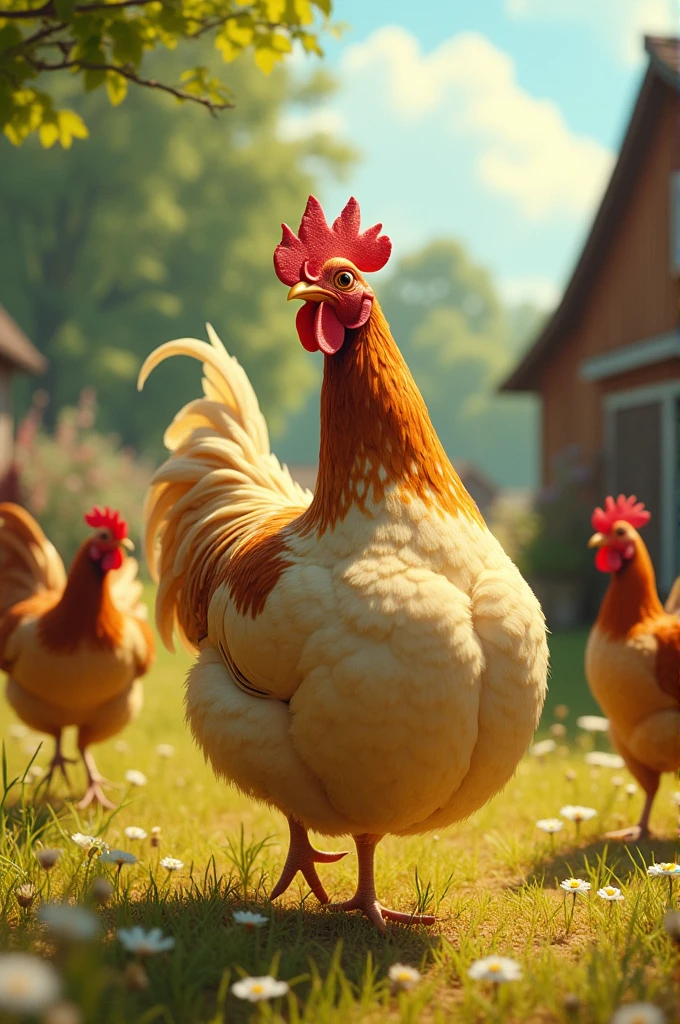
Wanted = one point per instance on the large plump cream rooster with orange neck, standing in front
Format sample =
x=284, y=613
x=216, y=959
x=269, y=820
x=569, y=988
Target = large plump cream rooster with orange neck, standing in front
x=370, y=661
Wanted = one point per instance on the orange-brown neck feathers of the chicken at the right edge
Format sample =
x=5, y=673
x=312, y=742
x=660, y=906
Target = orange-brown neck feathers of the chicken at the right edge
x=631, y=599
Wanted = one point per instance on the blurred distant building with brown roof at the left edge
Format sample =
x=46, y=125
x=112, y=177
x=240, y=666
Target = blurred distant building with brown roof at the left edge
x=17, y=356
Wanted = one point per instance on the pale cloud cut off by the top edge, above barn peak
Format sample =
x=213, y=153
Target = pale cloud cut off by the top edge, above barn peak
x=622, y=23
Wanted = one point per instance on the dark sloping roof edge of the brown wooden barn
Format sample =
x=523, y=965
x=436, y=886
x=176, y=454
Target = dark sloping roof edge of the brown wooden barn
x=663, y=71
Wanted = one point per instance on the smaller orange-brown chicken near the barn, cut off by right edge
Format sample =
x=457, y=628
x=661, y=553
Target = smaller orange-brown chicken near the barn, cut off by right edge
x=633, y=655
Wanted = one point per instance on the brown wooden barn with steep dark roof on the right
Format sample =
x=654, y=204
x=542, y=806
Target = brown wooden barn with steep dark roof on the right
x=607, y=365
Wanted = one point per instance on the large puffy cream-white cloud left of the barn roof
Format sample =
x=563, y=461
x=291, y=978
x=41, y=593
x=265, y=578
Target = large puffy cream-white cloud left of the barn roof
x=524, y=148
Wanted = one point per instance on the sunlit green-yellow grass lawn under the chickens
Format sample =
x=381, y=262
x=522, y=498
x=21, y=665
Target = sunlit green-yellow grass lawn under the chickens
x=494, y=882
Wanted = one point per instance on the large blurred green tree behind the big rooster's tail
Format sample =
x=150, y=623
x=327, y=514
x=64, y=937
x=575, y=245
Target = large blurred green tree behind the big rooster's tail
x=161, y=223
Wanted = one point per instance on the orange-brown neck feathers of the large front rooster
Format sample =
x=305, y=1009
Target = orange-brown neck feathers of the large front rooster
x=376, y=433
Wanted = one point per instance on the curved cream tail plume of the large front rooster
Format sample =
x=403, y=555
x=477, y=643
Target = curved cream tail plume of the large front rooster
x=219, y=486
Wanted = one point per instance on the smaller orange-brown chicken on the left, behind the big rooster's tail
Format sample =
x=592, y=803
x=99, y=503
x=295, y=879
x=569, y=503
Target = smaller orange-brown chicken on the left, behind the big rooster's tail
x=74, y=648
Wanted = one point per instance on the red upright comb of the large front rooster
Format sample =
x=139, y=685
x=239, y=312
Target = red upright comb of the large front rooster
x=303, y=257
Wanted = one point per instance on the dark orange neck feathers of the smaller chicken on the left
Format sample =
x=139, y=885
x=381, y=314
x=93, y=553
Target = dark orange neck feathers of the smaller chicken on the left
x=86, y=613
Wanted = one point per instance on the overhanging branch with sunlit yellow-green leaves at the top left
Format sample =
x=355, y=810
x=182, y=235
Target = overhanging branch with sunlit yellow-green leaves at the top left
x=104, y=44
